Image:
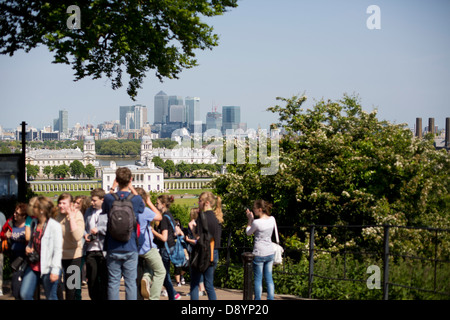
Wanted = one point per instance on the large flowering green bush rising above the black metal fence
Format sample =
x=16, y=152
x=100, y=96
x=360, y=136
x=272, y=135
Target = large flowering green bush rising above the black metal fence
x=341, y=165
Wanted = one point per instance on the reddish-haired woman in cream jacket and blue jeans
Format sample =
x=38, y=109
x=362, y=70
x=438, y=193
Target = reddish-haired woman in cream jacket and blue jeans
x=44, y=252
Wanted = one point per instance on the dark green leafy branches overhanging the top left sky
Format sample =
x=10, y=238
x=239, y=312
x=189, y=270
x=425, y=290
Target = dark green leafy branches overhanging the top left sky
x=110, y=37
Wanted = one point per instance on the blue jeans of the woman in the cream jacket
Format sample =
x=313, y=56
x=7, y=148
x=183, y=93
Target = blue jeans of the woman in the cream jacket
x=30, y=281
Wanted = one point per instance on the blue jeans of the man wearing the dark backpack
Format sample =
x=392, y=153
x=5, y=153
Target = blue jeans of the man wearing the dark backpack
x=122, y=263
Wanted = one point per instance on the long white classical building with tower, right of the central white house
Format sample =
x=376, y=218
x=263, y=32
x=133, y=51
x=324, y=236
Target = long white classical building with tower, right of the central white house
x=177, y=155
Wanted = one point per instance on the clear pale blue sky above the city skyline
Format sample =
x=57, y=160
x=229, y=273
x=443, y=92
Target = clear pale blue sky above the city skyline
x=268, y=49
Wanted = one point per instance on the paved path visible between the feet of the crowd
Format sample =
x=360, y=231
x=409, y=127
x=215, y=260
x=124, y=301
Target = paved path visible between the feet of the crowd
x=222, y=294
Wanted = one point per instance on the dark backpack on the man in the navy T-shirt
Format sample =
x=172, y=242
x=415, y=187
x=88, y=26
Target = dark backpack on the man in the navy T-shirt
x=121, y=218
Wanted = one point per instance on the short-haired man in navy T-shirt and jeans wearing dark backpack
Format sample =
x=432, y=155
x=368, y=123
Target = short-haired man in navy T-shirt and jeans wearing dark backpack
x=121, y=236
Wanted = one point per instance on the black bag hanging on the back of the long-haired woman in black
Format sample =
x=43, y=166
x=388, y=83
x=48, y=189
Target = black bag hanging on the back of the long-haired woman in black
x=201, y=257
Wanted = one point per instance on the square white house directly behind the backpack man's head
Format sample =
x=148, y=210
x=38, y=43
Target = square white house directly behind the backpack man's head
x=149, y=177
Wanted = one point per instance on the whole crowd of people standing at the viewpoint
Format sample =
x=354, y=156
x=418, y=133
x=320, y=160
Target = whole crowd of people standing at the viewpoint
x=51, y=244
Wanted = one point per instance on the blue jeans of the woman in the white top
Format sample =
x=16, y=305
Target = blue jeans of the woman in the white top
x=263, y=266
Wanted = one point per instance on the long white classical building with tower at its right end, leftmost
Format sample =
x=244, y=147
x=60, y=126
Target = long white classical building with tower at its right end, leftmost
x=45, y=157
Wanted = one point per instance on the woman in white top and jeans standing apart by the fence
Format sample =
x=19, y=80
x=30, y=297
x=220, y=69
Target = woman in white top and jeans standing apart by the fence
x=263, y=248
